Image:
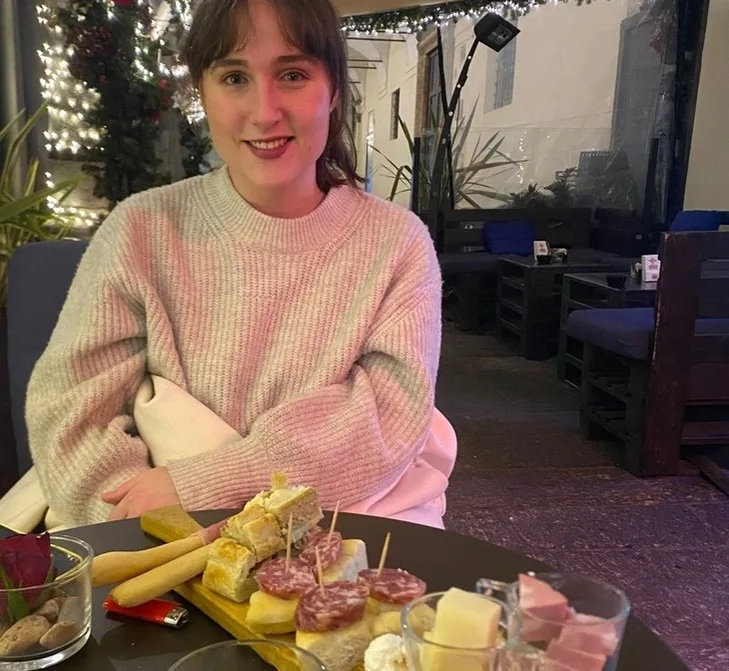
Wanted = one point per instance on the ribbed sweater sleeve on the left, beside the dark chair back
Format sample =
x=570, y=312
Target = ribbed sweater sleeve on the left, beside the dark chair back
x=77, y=404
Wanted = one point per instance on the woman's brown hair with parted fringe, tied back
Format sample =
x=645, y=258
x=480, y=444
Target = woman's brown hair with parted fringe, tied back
x=316, y=32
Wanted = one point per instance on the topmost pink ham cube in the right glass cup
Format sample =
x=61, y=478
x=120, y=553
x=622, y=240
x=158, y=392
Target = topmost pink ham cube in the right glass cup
x=543, y=610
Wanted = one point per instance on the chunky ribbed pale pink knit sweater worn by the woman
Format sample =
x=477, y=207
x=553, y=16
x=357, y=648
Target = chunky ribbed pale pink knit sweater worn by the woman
x=316, y=338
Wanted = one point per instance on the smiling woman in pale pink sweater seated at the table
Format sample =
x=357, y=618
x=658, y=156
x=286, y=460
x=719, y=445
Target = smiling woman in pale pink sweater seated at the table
x=301, y=311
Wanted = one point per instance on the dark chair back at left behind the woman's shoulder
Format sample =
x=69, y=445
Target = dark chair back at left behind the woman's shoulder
x=39, y=275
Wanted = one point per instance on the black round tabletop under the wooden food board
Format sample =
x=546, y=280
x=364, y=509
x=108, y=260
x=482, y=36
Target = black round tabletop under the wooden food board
x=443, y=559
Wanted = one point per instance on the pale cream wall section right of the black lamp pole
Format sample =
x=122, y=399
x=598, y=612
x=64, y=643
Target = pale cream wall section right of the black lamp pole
x=564, y=88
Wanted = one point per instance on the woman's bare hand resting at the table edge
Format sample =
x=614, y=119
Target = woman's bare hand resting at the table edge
x=152, y=489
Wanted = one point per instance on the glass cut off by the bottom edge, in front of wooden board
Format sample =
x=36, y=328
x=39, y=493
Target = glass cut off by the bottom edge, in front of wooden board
x=248, y=656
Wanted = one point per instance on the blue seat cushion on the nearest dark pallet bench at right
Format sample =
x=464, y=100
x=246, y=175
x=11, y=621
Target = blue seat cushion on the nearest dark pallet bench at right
x=627, y=331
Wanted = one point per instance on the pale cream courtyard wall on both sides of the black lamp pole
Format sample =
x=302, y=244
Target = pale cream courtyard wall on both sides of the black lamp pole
x=566, y=67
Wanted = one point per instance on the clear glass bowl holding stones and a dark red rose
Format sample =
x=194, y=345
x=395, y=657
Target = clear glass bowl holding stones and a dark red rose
x=57, y=616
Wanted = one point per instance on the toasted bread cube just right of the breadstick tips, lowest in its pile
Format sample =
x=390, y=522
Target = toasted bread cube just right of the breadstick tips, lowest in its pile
x=227, y=570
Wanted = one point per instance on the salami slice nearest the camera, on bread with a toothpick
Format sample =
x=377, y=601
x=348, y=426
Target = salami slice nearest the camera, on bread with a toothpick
x=340, y=604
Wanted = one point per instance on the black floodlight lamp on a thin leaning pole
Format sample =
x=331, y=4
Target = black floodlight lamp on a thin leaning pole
x=495, y=32
